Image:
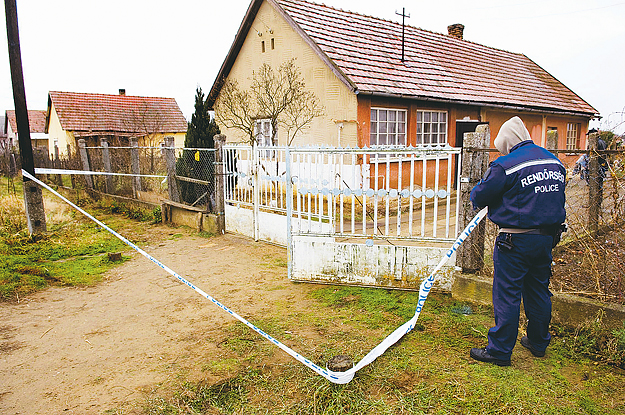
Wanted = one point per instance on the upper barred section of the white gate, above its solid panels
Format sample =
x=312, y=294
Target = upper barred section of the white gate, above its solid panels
x=386, y=193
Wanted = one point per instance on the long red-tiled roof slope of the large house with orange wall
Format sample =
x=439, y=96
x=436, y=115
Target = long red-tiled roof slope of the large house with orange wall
x=367, y=50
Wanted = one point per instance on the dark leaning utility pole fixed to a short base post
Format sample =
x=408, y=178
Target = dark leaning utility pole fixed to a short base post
x=33, y=199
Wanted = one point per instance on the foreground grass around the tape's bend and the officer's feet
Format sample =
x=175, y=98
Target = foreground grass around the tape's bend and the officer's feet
x=427, y=372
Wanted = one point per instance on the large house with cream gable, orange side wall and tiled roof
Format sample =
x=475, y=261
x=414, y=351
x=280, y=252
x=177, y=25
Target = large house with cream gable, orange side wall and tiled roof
x=443, y=87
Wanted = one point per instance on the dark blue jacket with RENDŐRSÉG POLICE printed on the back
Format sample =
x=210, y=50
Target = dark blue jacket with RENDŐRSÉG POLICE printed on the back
x=523, y=189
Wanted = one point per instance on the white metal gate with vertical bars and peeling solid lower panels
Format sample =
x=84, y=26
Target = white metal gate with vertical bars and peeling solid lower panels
x=367, y=216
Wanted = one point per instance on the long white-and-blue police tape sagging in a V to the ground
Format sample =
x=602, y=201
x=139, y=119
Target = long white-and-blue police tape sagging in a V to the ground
x=334, y=377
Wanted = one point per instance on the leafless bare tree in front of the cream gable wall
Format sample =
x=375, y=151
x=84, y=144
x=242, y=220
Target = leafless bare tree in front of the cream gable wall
x=278, y=96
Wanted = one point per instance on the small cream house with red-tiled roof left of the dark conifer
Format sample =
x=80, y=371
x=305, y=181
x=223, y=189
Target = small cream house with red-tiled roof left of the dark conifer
x=73, y=115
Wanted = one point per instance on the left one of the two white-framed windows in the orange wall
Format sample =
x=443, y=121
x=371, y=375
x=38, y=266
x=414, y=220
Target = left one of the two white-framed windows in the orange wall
x=388, y=127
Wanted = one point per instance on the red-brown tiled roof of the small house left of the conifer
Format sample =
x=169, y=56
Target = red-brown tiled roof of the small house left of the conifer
x=88, y=114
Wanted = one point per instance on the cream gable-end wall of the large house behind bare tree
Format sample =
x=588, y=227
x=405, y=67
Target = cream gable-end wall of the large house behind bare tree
x=338, y=100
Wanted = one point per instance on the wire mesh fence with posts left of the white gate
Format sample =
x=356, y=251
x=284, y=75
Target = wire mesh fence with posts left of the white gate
x=134, y=172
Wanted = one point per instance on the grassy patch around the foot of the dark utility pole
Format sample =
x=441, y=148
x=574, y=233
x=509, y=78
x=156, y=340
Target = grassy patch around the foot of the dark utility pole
x=72, y=252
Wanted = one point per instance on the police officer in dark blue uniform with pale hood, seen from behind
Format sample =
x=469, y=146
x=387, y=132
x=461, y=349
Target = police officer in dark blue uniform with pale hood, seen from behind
x=524, y=192
